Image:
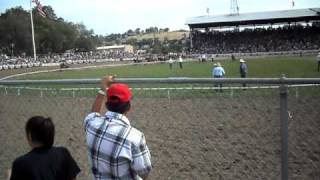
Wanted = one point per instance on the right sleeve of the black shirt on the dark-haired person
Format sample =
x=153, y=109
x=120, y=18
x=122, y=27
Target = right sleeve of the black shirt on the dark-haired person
x=72, y=168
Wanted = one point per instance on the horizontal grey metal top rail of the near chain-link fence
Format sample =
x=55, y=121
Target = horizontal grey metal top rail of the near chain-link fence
x=175, y=80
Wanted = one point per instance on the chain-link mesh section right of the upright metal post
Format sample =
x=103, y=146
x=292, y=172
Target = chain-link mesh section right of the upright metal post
x=304, y=132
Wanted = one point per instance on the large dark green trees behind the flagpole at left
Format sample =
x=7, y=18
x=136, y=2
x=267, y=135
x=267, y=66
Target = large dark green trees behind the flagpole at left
x=52, y=34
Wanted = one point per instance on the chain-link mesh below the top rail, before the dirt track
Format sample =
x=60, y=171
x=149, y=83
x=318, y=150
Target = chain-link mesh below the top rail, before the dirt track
x=193, y=130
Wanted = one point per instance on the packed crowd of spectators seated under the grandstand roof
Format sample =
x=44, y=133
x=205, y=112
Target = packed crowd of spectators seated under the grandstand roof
x=286, y=38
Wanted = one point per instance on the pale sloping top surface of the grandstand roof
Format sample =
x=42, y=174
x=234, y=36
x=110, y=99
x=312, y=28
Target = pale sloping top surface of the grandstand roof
x=256, y=16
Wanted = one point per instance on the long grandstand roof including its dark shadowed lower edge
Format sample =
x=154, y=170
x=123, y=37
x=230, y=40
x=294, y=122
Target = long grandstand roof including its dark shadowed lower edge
x=269, y=17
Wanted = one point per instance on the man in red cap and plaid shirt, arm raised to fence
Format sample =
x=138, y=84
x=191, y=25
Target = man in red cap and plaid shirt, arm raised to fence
x=116, y=149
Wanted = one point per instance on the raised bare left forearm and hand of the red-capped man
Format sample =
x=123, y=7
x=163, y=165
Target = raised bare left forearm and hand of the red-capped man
x=100, y=99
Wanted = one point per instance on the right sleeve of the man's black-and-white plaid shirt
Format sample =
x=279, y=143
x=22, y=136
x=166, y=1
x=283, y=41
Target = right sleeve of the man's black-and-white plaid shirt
x=141, y=163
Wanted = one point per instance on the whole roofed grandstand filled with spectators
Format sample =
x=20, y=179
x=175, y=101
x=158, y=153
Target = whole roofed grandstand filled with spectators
x=274, y=31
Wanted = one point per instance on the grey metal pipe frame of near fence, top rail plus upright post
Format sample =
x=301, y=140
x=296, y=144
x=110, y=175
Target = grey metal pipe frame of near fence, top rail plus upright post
x=281, y=83
